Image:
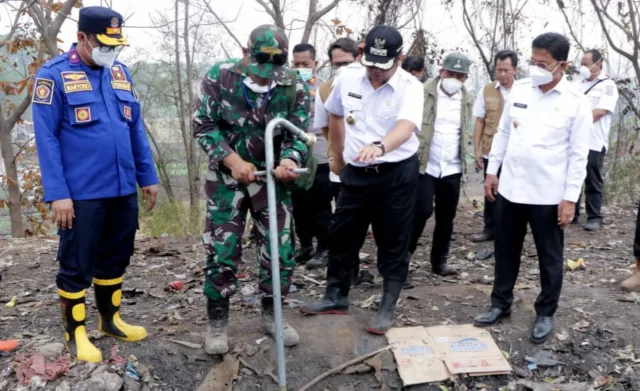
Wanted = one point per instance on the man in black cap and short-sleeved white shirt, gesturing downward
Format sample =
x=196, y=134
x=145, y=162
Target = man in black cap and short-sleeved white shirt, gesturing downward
x=375, y=113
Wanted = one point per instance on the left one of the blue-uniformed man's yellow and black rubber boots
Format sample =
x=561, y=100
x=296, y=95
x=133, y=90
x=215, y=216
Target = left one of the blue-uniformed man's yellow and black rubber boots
x=74, y=314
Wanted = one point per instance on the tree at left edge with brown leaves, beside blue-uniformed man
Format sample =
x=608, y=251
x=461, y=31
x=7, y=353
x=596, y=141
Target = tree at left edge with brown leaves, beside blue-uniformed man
x=47, y=19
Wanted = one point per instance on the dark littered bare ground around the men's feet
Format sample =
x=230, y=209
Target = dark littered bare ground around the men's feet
x=596, y=337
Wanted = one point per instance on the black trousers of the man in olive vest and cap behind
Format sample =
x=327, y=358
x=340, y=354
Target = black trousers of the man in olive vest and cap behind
x=446, y=193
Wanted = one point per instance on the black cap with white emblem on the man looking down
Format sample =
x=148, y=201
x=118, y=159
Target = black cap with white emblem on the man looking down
x=382, y=46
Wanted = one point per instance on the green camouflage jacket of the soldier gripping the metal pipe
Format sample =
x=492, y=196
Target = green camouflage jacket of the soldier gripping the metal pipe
x=225, y=122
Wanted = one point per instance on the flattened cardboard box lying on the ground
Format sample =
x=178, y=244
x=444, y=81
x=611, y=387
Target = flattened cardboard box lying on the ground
x=438, y=353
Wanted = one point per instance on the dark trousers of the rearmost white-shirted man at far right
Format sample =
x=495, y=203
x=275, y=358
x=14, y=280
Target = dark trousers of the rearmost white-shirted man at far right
x=593, y=187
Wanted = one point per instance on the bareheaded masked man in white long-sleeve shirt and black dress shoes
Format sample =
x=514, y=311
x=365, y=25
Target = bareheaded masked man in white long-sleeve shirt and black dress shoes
x=542, y=145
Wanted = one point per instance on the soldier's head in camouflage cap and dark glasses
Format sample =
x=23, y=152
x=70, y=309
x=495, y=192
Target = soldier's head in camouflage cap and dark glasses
x=269, y=50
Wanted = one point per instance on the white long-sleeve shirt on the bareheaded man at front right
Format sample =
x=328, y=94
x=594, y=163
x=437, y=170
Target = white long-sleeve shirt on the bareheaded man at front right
x=542, y=144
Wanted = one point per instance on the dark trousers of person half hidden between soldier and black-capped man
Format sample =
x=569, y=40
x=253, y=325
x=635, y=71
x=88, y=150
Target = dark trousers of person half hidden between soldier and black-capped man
x=312, y=211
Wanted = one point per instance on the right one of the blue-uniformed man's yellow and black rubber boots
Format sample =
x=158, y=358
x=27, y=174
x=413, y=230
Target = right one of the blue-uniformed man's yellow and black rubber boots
x=108, y=299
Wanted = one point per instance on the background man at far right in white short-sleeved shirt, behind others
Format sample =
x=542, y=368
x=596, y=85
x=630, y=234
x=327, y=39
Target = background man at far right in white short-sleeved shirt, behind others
x=603, y=96
